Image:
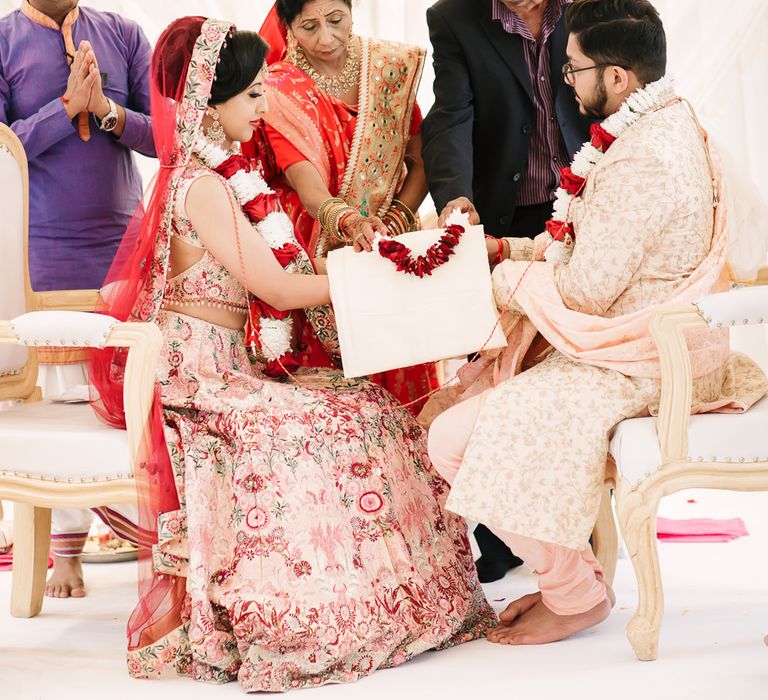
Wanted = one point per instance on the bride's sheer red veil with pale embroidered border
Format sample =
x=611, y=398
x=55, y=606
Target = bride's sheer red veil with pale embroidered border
x=182, y=72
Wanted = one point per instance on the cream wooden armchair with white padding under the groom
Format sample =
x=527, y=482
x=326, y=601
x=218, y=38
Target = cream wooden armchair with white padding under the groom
x=654, y=457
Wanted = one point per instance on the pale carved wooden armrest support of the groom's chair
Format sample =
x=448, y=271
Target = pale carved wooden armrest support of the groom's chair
x=667, y=328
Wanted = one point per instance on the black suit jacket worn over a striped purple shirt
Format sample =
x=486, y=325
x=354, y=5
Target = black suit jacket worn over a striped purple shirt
x=477, y=134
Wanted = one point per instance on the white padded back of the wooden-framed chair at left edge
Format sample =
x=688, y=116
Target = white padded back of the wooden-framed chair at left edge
x=14, y=289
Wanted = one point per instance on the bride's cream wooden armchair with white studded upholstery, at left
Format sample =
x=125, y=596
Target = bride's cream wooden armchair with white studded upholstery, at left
x=56, y=455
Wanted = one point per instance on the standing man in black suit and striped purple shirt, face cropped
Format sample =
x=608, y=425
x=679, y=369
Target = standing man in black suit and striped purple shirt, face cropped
x=502, y=125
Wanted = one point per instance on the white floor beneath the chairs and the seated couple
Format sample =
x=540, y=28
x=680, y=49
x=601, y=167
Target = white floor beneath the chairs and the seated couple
x=711, y=643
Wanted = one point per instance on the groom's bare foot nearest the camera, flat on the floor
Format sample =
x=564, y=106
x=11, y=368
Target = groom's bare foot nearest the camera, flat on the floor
x=540, y=625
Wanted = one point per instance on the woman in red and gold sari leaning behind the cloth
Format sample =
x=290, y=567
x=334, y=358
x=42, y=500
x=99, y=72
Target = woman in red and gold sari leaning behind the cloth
x=344, y=127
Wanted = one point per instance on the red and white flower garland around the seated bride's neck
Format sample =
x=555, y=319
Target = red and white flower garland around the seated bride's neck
x=271, y=332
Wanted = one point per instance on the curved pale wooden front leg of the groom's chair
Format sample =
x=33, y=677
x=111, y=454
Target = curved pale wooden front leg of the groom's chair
x=638, y=527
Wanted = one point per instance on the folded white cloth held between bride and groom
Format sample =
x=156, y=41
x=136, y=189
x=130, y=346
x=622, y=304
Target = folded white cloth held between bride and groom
x=388, y=319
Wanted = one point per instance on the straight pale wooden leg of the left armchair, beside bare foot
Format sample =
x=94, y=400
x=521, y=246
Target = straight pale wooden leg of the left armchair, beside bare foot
x=32, y=528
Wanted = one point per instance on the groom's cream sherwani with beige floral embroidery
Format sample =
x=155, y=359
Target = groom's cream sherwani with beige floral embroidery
x=535, y=462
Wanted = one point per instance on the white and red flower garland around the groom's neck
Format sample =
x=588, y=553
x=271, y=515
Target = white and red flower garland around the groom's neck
x=572, y=180
